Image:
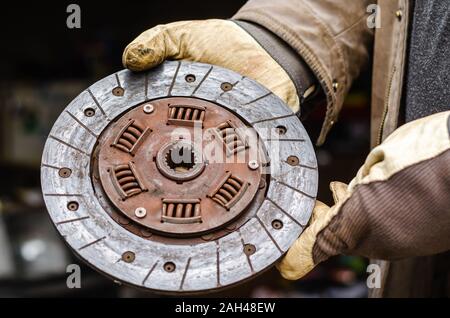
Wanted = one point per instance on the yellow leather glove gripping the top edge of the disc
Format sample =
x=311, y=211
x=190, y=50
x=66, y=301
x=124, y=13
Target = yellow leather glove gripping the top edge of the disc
x=218, y=42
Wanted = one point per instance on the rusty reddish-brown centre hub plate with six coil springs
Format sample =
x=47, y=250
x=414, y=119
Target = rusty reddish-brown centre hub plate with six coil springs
x=179, y=166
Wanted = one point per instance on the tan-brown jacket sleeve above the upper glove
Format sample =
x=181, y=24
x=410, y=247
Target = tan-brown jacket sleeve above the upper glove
x=332, y=37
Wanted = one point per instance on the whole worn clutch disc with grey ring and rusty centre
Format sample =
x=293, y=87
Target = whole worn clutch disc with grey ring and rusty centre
x=182, y=179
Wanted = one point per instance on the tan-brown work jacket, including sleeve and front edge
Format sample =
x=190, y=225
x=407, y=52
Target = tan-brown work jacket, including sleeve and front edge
x=334, y=39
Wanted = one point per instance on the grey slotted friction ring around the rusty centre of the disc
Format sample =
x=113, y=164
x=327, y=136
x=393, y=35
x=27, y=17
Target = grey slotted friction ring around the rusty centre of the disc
x=101, y=242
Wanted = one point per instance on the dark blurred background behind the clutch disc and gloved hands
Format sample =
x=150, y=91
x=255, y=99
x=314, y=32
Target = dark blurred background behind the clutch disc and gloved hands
x=44, y=65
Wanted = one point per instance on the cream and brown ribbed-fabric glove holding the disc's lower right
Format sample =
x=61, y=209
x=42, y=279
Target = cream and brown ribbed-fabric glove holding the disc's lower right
x=397, y=206
